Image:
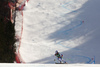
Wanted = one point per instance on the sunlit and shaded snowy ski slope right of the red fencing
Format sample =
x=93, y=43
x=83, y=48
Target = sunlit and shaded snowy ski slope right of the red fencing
x=69, y=26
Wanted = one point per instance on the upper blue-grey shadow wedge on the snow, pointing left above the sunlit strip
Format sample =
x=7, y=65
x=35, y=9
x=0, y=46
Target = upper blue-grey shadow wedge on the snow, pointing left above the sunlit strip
x=88, y=13
